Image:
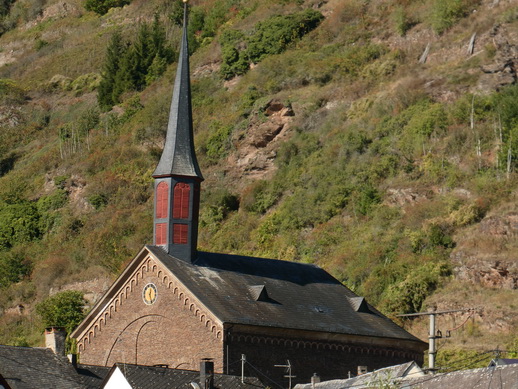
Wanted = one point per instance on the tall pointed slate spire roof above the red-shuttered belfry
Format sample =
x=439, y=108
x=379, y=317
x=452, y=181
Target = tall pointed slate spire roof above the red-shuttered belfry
x=178, y=156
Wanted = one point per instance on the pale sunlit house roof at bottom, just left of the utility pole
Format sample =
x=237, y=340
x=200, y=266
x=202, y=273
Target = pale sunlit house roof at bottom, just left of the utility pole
x=370, y=380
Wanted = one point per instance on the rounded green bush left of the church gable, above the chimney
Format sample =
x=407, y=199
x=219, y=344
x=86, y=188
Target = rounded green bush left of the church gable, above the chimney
x=65, y=309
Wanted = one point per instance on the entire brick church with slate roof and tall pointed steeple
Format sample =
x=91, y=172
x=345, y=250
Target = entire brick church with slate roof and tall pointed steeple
x=174, y=305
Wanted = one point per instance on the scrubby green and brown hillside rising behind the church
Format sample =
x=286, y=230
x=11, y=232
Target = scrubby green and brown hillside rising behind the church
x=375, y=138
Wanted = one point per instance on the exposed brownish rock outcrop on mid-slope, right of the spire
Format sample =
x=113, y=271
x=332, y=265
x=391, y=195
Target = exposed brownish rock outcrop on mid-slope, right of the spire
x=256, y=150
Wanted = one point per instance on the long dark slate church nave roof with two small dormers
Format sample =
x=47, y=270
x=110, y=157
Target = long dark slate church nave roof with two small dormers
x=295, y=295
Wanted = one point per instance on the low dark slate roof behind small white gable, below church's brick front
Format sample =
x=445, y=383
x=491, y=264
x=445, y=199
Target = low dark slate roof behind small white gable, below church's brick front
x=150, y=377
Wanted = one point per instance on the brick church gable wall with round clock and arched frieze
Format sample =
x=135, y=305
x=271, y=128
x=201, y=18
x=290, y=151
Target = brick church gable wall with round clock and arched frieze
x=149, y=317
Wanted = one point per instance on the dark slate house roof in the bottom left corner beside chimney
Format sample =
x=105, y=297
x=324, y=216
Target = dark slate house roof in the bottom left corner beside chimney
x=31, y=368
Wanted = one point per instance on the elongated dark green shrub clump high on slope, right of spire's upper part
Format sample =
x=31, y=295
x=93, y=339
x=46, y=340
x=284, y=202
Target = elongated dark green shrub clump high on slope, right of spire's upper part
x=269, y=37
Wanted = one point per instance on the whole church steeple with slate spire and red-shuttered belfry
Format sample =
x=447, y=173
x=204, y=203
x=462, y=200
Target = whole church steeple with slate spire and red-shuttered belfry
x=178, y=176
